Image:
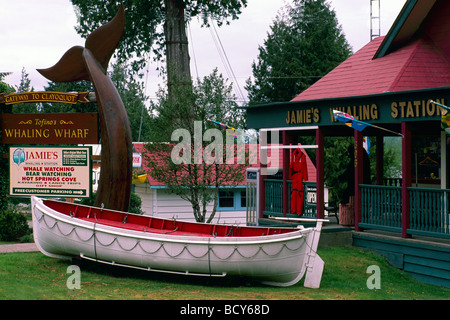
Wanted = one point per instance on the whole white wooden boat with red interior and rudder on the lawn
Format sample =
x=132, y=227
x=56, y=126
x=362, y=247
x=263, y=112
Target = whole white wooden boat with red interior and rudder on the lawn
x=275, y=256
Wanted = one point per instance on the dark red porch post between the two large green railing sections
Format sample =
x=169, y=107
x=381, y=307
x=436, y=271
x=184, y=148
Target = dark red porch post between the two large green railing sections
x=406, y=177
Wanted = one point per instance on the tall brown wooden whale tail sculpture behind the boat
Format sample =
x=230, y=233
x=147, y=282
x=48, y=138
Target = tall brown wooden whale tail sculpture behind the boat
x=90, y=63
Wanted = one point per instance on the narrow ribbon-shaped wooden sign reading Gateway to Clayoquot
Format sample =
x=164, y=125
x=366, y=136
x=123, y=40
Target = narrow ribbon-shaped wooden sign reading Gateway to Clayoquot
x=44, y=96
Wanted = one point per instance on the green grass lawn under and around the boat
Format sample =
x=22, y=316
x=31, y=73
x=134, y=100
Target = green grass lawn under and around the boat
x=33, y=276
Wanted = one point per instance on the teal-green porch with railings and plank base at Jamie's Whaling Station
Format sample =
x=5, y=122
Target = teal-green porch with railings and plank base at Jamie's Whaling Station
x=426, y=256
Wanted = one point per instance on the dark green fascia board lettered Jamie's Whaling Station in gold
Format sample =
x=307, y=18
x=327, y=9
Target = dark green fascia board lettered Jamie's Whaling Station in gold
x=383, y=108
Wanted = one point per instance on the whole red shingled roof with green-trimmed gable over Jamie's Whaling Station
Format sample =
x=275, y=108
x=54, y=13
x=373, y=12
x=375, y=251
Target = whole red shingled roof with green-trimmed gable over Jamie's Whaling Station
x=414, y=55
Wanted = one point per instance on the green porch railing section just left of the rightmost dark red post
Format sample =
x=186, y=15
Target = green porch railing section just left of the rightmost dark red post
x=381, y=208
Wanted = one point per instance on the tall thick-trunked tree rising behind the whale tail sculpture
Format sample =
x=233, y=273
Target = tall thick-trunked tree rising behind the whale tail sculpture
x=178, y=108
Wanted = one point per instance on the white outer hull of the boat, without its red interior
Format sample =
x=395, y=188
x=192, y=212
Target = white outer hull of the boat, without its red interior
x=279, y=259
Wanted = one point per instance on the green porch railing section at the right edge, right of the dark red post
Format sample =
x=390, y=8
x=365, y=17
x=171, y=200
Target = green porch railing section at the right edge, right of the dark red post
x=430, y=213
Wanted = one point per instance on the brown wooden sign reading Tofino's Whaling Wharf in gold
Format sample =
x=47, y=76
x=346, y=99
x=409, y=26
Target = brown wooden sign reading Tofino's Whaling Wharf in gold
x=49, y=128
